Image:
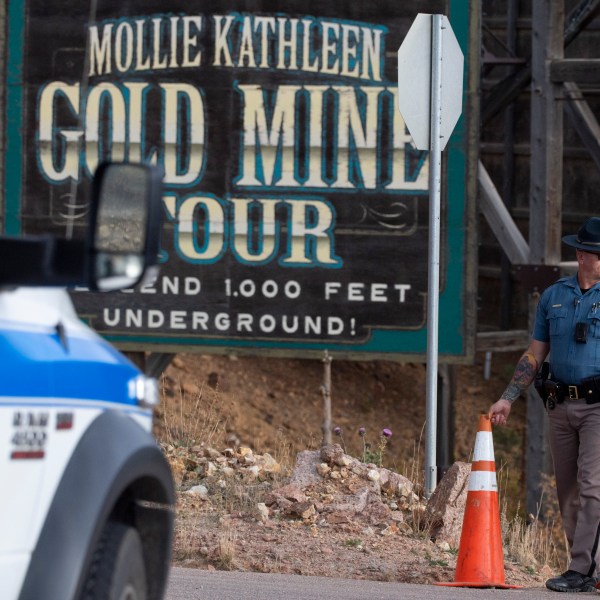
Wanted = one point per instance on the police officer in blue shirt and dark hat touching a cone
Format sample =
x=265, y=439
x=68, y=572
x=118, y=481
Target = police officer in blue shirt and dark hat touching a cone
x=567, y=330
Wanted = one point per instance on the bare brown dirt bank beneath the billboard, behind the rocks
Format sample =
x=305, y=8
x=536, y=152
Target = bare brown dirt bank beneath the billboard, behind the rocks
x=265, y=403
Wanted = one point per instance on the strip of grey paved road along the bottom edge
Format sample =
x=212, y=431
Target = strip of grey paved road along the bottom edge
x=198, y=584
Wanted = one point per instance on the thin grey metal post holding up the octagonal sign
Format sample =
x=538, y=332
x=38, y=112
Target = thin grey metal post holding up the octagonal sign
x=433, y=288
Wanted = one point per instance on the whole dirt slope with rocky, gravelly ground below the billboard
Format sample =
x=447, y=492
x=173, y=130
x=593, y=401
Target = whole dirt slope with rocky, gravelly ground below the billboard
x=223, y=413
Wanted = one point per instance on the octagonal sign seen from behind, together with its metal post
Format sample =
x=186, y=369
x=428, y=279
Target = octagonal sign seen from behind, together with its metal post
x=430, y=59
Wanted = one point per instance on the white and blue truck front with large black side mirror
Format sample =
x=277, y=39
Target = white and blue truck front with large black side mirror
x=86, y=496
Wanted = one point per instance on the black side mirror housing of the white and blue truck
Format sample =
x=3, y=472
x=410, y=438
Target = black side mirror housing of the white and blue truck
x=125, y=224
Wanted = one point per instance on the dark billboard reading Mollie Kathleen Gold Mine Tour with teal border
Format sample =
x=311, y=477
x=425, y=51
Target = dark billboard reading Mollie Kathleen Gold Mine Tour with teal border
x=295, y=202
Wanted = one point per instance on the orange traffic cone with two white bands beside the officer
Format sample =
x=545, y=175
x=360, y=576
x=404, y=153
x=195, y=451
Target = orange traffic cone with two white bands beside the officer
x=480, y=560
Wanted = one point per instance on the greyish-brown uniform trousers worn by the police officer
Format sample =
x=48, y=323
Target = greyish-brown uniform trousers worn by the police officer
x=575, y=446
